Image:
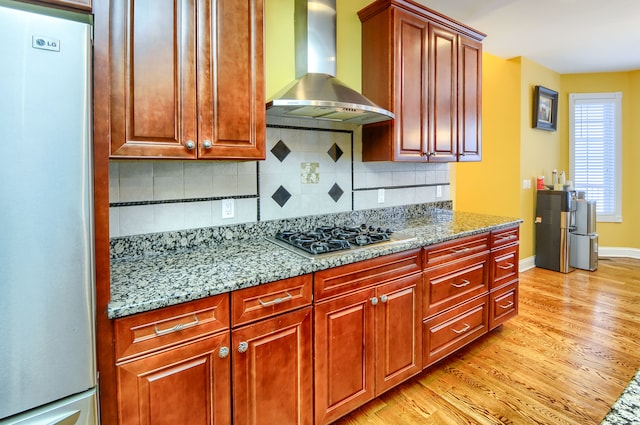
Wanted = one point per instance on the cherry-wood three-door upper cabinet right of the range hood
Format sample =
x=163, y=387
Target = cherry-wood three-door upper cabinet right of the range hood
x=425, y=69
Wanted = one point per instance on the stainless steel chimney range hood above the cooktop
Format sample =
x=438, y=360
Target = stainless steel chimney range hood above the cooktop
x=317, y=93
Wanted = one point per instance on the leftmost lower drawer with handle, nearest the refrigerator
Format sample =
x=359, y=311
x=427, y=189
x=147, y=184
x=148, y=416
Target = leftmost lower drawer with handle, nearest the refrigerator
x=150, y=331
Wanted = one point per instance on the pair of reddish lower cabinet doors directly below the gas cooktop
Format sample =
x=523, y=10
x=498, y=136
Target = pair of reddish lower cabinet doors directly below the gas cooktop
x=365, y=343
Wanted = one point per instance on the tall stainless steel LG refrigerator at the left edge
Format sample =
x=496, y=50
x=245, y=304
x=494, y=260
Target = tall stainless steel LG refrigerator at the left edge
x=47, y=355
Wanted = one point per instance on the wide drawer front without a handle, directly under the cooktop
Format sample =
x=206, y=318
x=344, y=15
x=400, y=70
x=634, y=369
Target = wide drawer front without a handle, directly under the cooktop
x=344, y=279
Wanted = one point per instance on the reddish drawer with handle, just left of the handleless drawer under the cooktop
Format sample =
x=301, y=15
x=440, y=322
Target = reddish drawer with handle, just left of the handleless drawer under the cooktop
x=259, y=302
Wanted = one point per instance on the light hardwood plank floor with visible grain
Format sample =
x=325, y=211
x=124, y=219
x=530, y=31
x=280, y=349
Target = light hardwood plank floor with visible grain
x=564, y=360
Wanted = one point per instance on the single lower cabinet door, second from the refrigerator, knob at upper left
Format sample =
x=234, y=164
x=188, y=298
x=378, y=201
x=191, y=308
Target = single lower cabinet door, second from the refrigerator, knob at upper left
x=272, y=370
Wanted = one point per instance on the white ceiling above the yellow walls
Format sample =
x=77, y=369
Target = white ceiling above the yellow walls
x=566, y=36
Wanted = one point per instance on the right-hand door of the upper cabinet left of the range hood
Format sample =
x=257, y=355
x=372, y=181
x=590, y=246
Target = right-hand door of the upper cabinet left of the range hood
x=231, y=98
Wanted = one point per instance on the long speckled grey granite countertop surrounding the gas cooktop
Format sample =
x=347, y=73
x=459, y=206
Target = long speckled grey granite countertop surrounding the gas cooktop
x=148, y=282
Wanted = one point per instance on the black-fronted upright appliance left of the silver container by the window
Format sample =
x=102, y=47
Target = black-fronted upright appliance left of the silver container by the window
x=555, y=218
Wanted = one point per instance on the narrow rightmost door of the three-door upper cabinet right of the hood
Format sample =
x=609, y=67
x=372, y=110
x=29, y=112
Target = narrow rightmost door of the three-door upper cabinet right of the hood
x=469, y=100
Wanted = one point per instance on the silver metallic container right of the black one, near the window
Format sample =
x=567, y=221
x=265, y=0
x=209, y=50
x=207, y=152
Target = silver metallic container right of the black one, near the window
x=584, y=239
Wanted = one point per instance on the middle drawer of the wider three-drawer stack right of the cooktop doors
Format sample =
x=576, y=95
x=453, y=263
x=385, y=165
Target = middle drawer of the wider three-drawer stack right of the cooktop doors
x=451, y=284
